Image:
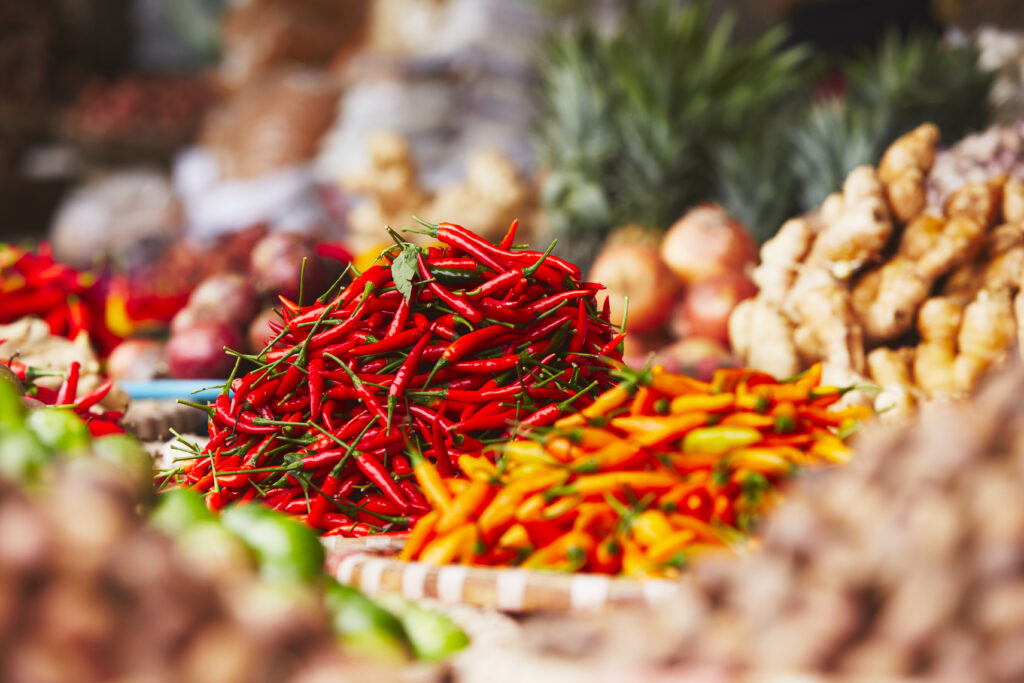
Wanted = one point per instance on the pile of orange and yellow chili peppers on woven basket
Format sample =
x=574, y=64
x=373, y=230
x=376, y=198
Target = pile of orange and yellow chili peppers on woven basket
x=657, y=469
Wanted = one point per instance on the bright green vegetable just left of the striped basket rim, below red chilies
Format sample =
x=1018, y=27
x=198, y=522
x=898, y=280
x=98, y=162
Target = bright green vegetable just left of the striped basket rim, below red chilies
x=287, y=550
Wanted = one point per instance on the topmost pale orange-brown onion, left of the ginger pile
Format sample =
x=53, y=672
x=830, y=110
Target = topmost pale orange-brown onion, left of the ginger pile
x=706, y=242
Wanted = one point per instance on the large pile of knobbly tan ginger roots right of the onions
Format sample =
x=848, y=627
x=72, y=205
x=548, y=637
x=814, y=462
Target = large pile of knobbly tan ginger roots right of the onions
x=885, y=293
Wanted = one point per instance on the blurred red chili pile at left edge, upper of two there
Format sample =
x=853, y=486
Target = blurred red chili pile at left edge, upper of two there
x=70, y=302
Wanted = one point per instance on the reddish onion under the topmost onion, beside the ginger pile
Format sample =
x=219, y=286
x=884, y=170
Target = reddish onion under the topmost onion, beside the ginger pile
x=706, y=308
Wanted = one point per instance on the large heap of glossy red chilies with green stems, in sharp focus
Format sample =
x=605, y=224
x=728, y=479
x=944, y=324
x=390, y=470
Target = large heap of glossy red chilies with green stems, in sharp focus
x=434, y=352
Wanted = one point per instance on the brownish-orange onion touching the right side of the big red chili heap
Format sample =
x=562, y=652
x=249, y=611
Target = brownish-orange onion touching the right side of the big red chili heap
x=636, y=272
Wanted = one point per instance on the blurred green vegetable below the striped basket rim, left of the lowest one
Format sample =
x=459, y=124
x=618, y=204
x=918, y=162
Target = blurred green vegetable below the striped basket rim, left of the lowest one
x=363, y=626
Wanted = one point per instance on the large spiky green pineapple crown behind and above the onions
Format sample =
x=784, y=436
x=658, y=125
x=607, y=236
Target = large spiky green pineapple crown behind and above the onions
x=631, y=119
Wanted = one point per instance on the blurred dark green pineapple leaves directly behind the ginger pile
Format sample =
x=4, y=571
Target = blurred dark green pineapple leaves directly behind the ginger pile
x=804, y=154
